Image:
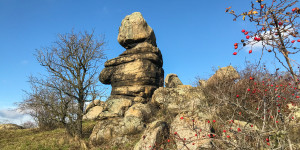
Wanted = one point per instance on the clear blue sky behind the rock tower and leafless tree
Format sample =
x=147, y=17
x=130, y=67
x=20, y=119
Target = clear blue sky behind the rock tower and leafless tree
x=193, y=35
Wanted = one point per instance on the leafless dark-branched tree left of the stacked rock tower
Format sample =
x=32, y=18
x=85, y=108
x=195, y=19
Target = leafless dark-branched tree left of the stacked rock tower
x=72, y=63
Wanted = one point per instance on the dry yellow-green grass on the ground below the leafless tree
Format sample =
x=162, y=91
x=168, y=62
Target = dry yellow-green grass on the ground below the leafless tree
x=33, y=139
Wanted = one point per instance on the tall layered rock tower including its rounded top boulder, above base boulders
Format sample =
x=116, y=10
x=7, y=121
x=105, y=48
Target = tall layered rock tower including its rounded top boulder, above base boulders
x=137, y=72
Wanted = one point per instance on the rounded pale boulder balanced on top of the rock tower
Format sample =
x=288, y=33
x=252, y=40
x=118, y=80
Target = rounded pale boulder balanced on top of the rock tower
x=134, y=29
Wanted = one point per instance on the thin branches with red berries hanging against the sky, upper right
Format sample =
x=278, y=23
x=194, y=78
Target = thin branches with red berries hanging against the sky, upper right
x=276, y=30
